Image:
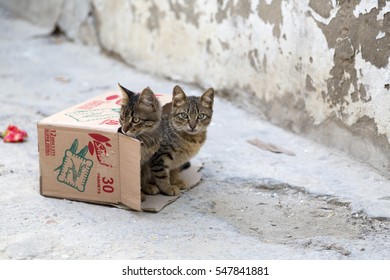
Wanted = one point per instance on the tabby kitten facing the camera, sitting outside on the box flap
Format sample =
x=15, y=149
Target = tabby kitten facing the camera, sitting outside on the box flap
x=183, y=127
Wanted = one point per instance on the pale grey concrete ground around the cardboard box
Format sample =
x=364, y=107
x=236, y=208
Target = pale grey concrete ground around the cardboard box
x=251, y=203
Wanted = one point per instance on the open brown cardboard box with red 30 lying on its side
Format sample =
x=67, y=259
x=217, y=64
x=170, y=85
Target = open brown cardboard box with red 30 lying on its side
x=83, y=157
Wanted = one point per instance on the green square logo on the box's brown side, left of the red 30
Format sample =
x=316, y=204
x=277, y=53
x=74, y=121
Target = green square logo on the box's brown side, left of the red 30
x=75, y=168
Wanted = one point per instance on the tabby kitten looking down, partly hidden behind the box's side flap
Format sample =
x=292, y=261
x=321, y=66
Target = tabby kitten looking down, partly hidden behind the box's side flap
x=140, y=117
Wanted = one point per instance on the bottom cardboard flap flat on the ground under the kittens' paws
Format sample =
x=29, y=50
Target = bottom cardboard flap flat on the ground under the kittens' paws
x=191, y=175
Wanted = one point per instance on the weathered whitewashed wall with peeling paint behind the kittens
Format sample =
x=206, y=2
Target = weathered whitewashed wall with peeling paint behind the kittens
x=319, y=67
